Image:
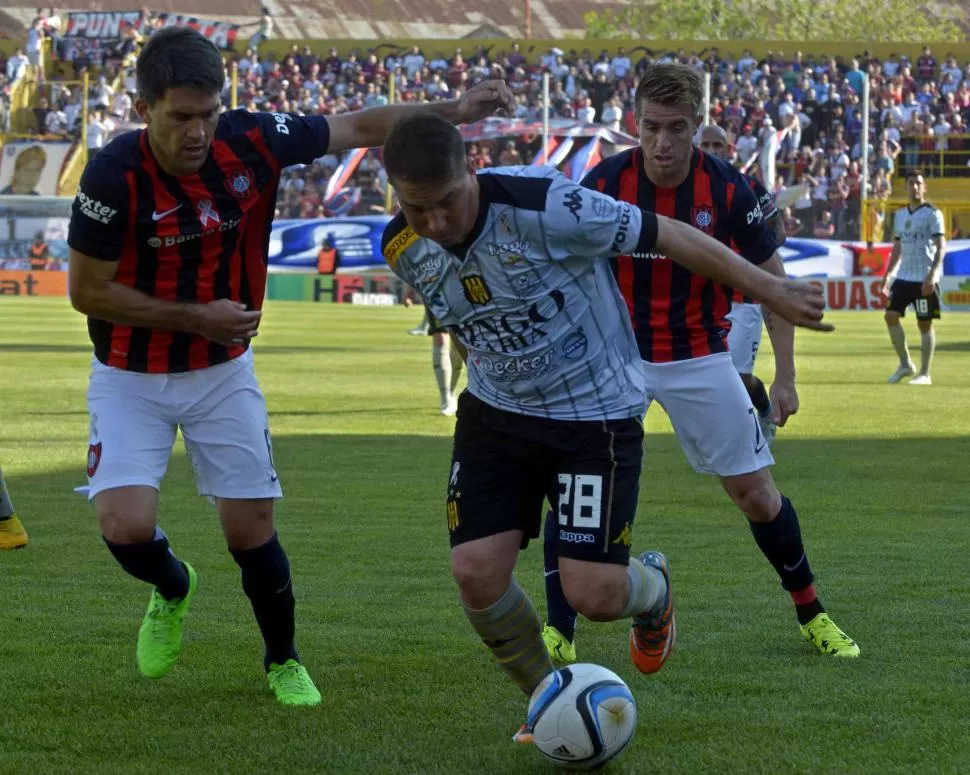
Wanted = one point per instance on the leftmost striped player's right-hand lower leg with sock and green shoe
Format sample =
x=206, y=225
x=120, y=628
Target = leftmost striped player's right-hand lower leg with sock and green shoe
x=251, y=535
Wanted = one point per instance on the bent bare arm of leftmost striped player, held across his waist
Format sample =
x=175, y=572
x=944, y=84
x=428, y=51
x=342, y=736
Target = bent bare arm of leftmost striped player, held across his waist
x=94, y=292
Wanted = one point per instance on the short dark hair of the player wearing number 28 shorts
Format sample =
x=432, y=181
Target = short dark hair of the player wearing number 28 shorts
x=423, y=148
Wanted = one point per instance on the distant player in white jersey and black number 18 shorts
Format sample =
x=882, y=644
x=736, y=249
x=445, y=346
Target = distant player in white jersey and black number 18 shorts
x=919, y=241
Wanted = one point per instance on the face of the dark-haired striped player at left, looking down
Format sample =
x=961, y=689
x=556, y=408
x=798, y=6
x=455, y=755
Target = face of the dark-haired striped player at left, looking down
x=181, y=126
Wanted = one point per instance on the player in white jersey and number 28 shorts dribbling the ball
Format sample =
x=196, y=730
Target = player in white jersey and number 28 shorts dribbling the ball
x=513, y=262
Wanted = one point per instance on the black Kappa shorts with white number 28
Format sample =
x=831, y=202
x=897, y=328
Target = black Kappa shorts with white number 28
x=504, y=465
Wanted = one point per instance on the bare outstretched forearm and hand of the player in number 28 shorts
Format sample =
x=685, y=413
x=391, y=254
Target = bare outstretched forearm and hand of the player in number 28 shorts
x=801, y=303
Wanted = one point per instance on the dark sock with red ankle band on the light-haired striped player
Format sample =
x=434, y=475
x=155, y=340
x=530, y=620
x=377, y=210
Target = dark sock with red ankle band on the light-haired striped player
x=781, y=543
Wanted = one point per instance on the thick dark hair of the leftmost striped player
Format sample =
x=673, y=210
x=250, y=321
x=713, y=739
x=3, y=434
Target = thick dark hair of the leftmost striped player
x=179, y=57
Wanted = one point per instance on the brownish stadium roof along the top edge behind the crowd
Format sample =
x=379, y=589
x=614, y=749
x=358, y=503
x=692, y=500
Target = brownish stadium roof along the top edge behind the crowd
x=368, y=19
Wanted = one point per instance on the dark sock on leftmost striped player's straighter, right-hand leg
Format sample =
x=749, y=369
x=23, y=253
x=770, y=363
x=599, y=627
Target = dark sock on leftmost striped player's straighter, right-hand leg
x=267, y=584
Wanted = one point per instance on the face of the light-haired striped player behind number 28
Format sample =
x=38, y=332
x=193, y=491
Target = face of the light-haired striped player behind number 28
x=666, y=135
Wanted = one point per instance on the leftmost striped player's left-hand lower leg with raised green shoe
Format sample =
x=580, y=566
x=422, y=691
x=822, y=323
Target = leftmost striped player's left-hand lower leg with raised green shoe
x=127, y=517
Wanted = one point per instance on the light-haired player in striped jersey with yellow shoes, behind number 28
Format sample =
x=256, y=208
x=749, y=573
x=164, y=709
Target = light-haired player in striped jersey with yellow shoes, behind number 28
x=680, y=323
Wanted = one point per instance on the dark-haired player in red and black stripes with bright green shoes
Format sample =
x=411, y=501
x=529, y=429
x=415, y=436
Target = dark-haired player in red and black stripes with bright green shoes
x=168, y=241
